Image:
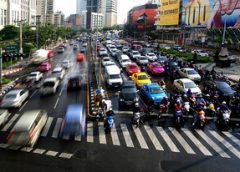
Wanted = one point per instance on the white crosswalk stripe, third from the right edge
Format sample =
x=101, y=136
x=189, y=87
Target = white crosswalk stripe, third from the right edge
x=213, y=144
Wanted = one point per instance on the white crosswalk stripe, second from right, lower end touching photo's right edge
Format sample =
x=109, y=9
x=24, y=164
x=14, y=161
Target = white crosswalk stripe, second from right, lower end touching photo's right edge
x=230, y=147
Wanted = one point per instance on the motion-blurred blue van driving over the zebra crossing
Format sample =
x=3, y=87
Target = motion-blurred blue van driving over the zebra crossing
x=74, y=123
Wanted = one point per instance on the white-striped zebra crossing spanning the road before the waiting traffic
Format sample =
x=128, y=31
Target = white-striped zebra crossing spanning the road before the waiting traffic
x=184, y=140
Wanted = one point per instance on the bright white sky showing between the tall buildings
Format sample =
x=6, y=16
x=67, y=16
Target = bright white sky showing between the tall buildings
x=69, y=7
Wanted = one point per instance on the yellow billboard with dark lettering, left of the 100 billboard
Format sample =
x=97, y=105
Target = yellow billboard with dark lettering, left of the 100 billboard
x=169, y=12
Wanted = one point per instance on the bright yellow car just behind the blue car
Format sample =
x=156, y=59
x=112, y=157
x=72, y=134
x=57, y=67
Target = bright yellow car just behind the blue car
x=140, y=78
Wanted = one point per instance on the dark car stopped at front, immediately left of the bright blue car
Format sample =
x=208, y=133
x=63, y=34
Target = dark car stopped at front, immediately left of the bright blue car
x=128, y=94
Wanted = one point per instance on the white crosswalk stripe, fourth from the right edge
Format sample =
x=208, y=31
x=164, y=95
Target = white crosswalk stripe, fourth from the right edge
x=198, y=144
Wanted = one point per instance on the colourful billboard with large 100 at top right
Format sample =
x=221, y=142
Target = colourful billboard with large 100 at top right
x=211, y=13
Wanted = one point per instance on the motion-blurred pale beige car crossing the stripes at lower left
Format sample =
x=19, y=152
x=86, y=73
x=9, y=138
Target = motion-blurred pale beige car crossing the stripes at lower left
x=27, y=129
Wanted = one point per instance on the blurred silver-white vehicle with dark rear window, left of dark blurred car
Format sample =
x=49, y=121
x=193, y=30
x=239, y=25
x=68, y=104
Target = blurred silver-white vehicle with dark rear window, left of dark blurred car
x=49, y=86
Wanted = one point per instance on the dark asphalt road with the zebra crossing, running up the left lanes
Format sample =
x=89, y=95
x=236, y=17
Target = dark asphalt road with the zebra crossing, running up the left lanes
x=155, y=146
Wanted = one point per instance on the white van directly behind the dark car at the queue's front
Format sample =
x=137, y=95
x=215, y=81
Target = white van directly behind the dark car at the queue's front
x=113, y=76
